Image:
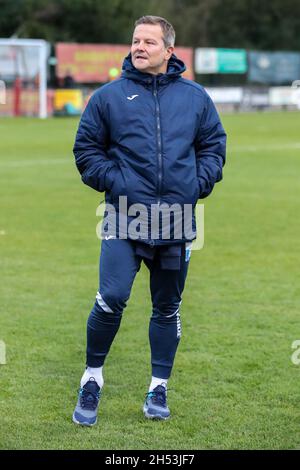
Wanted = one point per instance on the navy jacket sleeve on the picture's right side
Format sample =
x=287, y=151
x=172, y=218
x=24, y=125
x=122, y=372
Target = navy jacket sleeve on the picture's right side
x=210, y=148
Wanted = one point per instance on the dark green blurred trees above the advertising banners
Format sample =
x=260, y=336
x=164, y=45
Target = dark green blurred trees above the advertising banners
x=250, y=24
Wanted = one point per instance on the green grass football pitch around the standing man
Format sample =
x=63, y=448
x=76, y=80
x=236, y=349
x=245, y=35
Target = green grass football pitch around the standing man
x=234, y=385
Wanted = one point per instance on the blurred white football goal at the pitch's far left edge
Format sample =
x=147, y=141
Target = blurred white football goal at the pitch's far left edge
x=24, y=61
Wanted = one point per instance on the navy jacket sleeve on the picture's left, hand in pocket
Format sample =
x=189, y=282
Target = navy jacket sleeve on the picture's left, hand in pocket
x=91, y=143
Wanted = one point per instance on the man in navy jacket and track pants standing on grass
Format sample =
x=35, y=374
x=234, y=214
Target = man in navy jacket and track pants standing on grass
x=156, y=139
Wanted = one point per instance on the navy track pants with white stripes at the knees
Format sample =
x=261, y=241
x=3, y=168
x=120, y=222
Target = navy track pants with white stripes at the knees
x=119, y=265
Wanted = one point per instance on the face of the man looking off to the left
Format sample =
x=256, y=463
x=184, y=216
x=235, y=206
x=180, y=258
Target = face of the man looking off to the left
x=148, y=51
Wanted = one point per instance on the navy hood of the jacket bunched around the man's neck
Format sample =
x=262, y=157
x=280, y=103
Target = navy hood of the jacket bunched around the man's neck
x=175, y=68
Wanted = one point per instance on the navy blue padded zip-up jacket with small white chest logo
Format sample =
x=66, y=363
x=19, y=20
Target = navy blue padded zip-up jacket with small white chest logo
x=155, y=139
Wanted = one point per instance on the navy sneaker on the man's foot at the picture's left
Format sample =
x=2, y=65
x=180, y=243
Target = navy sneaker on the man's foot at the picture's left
x=87, y=405
